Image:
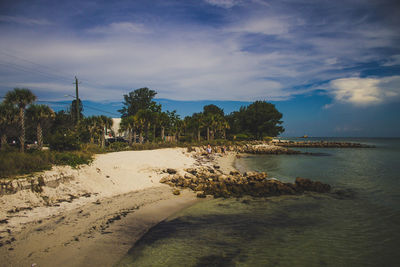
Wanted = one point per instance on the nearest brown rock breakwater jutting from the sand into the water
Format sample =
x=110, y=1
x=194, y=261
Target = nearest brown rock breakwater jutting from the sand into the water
x=210, y=181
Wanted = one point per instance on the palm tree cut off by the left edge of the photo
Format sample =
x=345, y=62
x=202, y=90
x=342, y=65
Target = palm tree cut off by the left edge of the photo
x=8, y=115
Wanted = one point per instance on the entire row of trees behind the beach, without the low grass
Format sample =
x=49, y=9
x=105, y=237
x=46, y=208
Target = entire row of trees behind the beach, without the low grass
x=142, y=120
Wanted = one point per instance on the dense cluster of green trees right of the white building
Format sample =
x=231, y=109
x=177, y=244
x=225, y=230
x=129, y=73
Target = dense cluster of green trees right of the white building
x=143, y=119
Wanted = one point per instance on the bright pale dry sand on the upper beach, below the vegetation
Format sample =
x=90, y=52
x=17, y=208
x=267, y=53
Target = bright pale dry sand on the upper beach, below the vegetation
x=109, y=175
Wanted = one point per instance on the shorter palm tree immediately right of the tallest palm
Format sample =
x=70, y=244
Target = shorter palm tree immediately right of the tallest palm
x=40, y=114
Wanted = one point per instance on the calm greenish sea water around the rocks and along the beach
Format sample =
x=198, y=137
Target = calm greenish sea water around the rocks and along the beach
x=359, y=226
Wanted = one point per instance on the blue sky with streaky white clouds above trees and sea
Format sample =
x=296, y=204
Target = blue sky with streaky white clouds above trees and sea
x=331, y=67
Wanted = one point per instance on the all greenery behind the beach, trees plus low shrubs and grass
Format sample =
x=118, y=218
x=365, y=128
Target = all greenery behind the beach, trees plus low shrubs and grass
x=144, y=125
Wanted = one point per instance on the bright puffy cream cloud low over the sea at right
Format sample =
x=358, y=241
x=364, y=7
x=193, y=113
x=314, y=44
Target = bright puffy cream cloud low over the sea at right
x=365, y=91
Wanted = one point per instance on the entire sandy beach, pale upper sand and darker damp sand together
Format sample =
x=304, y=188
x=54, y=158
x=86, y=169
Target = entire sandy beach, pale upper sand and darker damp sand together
x=92, y=216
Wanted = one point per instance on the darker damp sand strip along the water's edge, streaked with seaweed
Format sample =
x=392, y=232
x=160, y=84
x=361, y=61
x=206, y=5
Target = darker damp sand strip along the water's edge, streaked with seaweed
x=96, y=234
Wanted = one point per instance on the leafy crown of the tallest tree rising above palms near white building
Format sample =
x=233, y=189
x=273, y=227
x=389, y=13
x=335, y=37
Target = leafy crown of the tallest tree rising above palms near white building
x=140, y=99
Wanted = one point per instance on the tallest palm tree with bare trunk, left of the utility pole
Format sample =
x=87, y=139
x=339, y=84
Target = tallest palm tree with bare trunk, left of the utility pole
x=21, y=98
